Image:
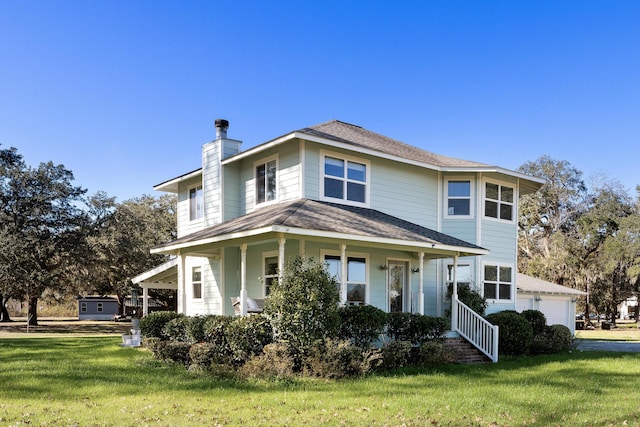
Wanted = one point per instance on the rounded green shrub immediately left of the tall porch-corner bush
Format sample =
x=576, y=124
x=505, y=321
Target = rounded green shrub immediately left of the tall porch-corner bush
x=247, y=336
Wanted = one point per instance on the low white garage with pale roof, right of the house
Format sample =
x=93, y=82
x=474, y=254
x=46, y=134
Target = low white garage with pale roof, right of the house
x=557, y=302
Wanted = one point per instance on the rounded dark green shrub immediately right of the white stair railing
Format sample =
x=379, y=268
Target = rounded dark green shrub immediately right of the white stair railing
x=515, y=334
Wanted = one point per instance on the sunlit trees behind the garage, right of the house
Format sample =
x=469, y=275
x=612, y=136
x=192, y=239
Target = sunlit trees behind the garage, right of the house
x=584, y=237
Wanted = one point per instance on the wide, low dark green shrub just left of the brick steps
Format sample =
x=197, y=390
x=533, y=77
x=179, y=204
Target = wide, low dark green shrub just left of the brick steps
x=415, y=328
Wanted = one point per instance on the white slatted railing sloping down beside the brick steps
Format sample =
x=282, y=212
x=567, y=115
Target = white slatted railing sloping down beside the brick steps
x=475, y=329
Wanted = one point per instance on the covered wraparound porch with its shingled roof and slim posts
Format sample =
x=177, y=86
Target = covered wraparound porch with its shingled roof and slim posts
x=246, y=253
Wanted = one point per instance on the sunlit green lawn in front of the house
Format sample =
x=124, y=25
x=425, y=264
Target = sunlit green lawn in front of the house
x=64, y=381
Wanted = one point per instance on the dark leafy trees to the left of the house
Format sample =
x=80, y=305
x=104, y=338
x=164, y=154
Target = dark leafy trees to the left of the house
x=57, y=241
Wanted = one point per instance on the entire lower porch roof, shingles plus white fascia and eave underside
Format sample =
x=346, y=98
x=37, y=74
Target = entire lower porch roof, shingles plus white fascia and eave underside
x=322, y=221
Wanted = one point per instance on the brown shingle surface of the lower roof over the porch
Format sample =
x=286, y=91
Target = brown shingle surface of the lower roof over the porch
x=313, y=215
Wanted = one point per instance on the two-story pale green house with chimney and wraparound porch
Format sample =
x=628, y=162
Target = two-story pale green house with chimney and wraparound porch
x=394, y=223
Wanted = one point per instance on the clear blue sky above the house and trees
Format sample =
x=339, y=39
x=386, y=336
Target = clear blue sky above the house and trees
x=124, y=93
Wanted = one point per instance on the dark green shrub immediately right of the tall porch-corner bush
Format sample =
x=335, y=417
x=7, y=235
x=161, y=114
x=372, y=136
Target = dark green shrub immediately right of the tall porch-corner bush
x=362, y=324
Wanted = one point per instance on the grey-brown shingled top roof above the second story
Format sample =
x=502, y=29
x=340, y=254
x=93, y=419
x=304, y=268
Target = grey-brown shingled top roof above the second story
x=357, y=136
